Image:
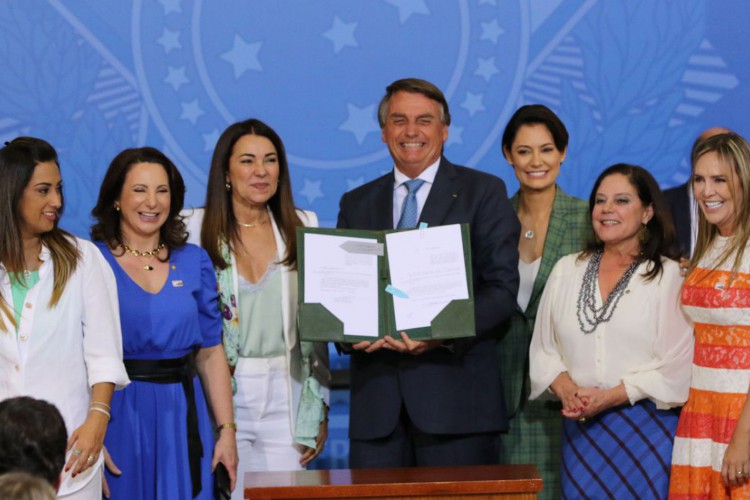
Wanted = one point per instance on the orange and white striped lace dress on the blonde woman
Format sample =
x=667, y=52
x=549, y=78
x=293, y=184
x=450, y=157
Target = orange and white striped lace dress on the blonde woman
x=721, y=378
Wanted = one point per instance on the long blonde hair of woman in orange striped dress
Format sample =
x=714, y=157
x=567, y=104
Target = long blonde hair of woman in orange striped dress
x=734, y=153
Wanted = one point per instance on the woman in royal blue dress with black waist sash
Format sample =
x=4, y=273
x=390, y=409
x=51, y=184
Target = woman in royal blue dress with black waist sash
x=162, y=437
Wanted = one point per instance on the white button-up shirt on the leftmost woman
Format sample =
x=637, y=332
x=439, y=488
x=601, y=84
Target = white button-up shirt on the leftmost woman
x=58, y=353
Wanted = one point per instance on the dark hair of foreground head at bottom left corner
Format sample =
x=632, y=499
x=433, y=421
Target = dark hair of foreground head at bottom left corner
x=33, y=438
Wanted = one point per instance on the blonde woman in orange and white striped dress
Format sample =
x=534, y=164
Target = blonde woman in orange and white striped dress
x=711, y=456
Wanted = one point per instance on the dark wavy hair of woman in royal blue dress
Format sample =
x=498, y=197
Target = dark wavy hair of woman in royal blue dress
x=107, y=226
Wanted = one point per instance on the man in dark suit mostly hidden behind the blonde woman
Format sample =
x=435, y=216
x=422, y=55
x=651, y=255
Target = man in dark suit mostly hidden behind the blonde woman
x=680, y=201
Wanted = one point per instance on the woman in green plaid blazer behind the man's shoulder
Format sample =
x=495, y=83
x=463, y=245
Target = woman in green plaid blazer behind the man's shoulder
x=554, y=224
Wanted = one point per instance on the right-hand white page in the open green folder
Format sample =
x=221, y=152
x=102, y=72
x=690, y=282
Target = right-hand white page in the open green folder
x=428, y=266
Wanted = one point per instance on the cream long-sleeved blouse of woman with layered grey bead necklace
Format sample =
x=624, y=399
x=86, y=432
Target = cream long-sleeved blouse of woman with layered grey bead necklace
x=647, y=344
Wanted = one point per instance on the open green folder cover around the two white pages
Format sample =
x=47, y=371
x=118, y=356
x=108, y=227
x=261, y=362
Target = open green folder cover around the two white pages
x=317, y=323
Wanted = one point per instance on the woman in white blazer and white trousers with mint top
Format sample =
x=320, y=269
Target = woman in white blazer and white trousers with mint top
x=248, y=228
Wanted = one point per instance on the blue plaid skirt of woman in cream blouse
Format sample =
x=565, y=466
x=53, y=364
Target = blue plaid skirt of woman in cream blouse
x=624, y=452
